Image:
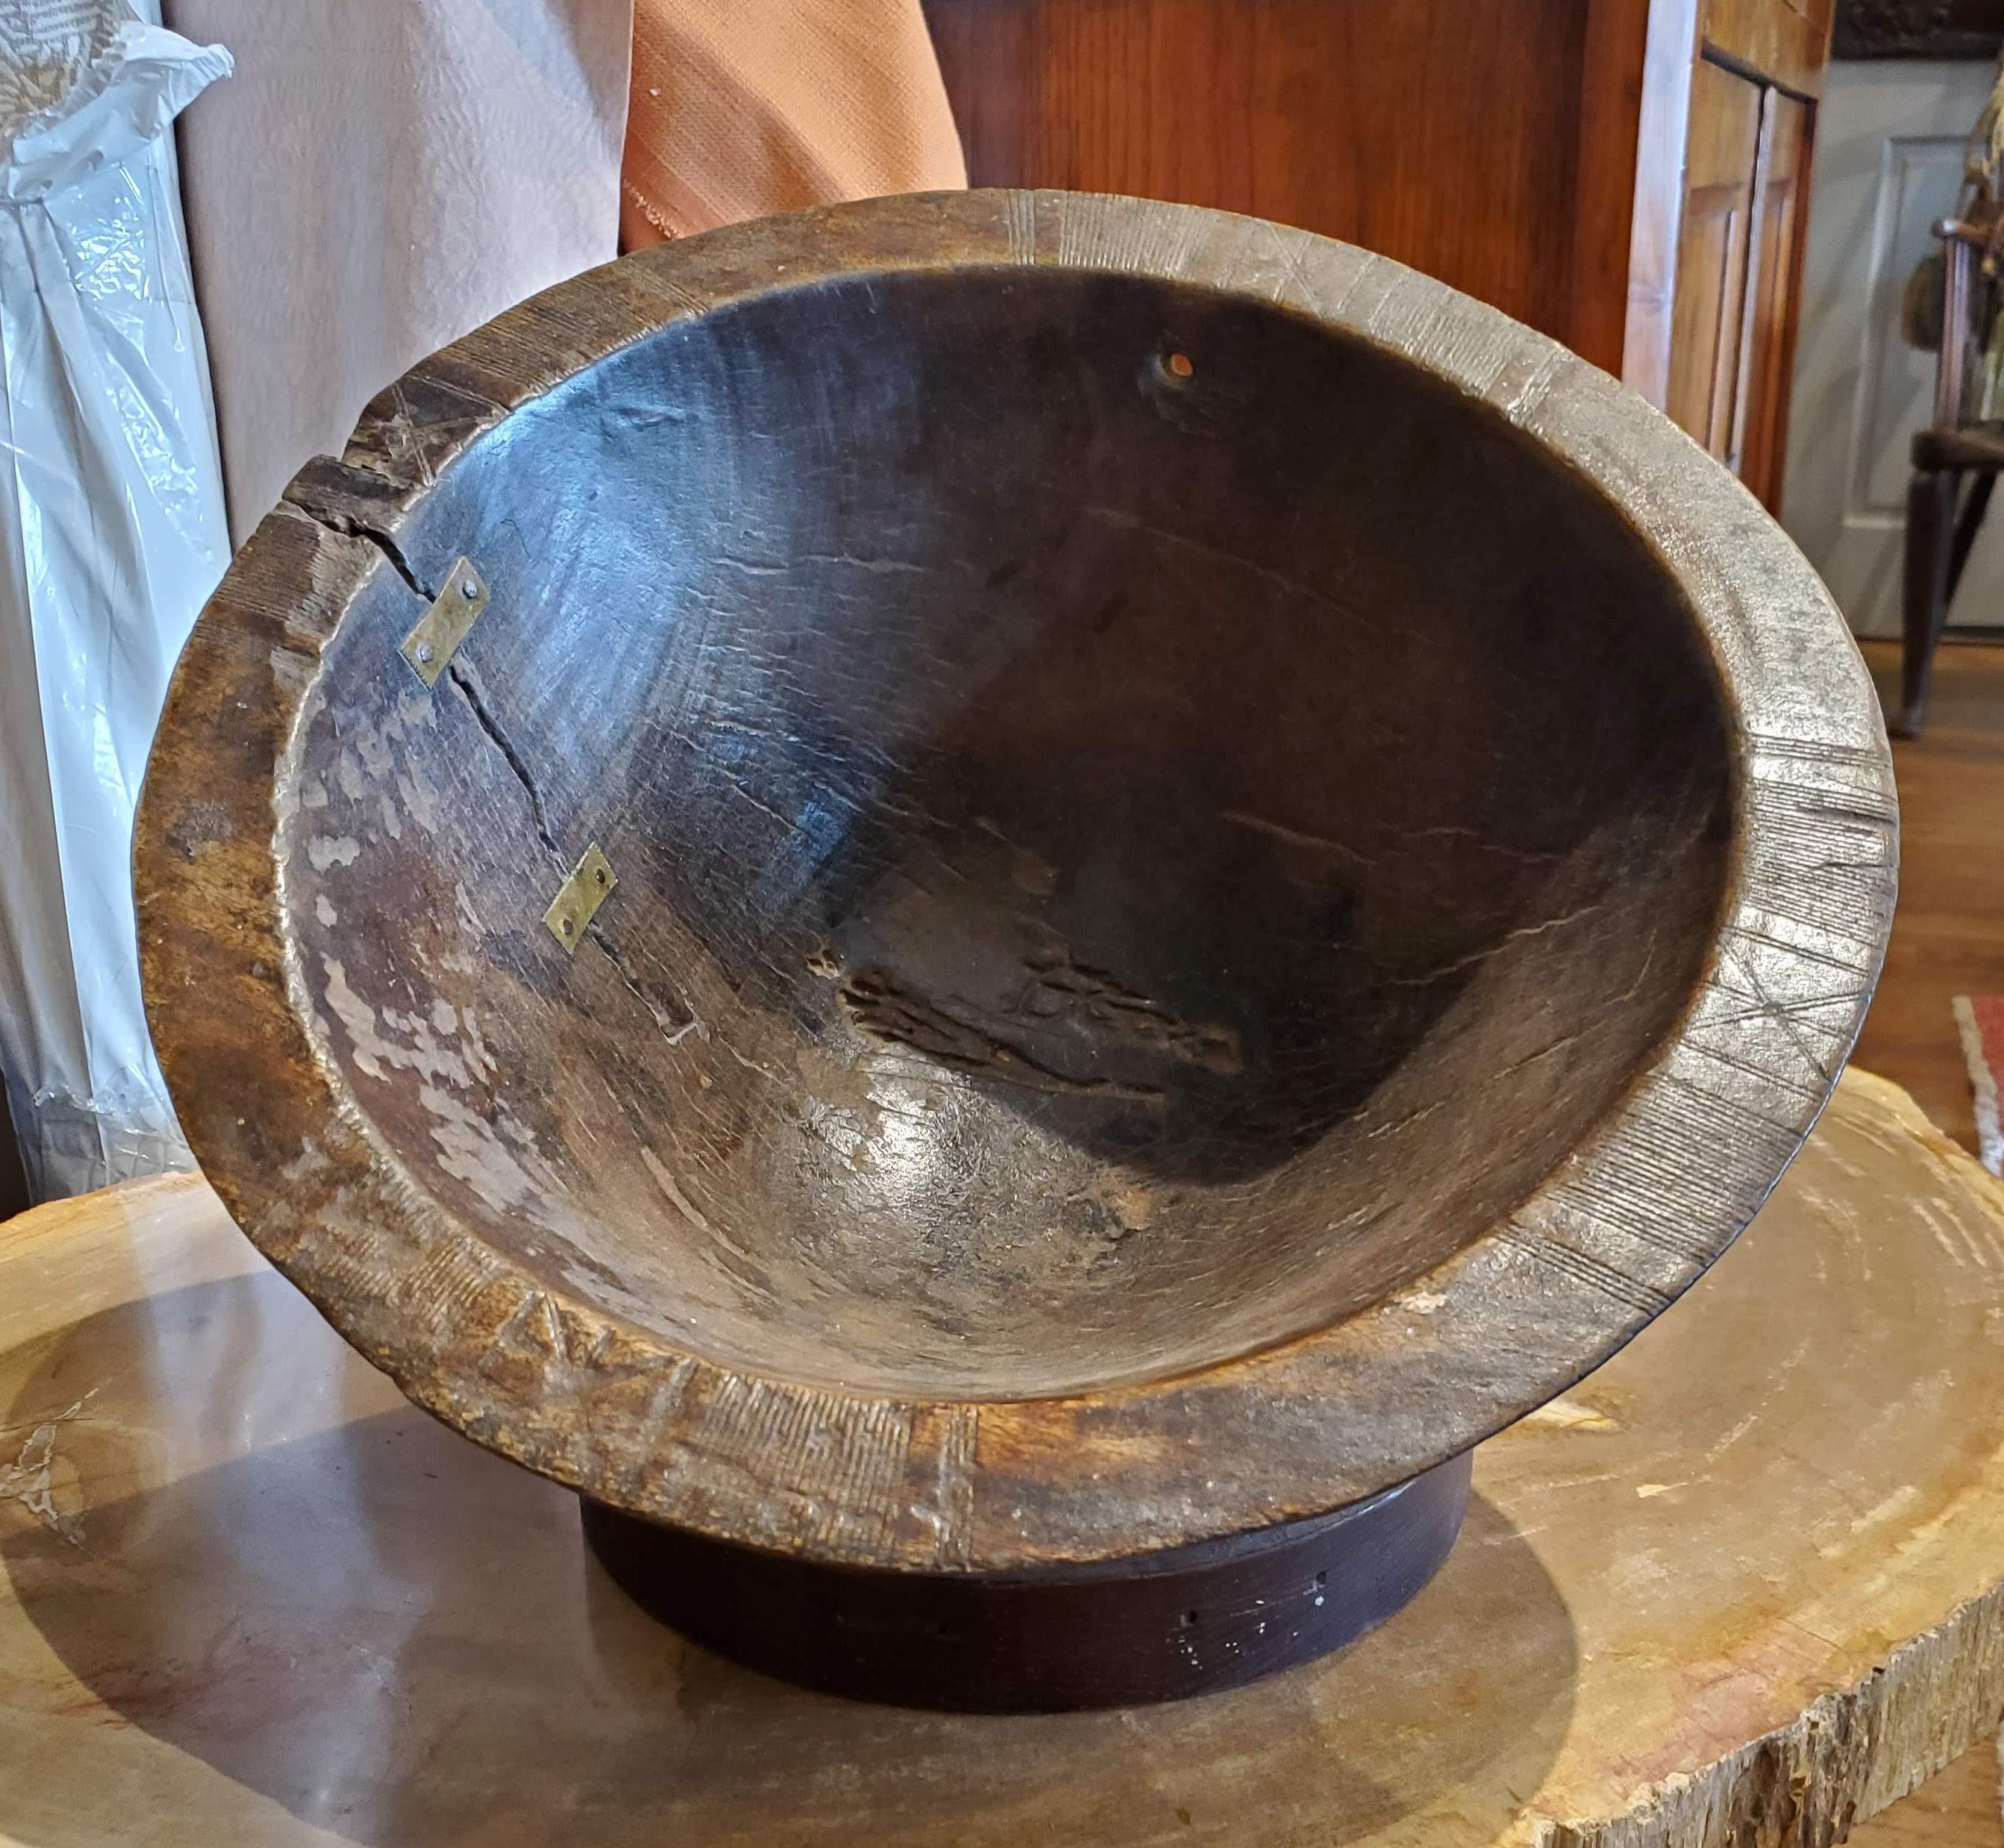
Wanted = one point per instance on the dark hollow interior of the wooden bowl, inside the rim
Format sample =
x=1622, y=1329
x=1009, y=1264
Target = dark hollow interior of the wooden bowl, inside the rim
x=1141, y=829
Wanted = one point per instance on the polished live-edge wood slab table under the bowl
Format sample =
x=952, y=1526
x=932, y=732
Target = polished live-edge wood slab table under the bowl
x=1742, y=1586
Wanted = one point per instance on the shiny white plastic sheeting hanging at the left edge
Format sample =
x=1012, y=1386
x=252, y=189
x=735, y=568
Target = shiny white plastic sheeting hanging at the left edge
x=111, y=538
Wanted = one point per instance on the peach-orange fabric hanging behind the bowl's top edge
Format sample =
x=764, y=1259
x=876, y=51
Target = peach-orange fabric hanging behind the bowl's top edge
x=746, y=107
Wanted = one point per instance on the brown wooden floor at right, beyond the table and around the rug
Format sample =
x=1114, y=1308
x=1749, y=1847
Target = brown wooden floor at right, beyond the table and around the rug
x=1947, y=939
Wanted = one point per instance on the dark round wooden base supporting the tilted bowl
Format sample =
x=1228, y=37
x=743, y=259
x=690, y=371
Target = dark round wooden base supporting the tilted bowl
x=1119, y=1633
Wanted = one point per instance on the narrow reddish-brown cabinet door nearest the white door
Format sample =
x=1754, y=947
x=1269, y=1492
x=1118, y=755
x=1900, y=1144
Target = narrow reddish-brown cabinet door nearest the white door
x=1777, y=292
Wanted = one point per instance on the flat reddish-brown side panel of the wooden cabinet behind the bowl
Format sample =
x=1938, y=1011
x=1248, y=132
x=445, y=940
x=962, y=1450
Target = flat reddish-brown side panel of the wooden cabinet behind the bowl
x=1424, y=129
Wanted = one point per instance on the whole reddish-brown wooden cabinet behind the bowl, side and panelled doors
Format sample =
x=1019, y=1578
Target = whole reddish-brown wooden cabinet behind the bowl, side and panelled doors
x=1624, y=175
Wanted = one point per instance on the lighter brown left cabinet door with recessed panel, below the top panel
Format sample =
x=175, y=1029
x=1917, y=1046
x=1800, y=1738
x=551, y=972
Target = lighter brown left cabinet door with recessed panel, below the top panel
x=1710, y=306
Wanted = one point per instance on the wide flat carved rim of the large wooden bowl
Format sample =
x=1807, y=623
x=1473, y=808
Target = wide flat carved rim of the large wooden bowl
x=1624, y=1226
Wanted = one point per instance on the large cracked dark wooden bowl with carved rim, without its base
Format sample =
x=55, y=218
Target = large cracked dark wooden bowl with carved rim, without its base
x=1223, y=871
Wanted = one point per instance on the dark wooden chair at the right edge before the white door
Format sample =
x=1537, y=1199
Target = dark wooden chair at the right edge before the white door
x=1957, y=464
